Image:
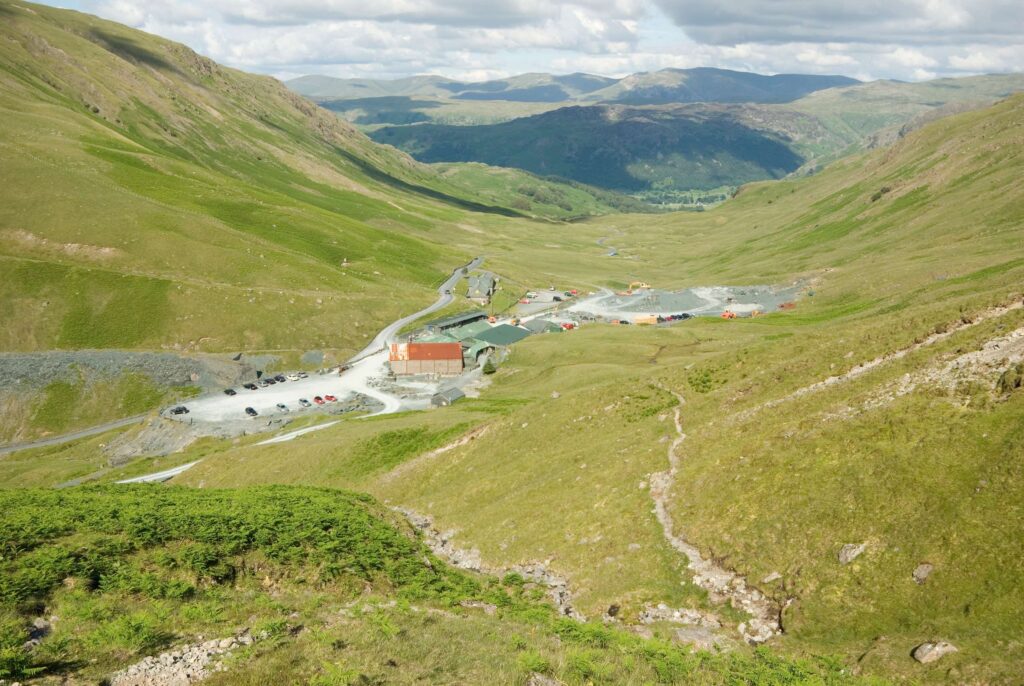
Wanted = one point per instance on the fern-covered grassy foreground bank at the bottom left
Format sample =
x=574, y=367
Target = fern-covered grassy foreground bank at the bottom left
x=336, y=589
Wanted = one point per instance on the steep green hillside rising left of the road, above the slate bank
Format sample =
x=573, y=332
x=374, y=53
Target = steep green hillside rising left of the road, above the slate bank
x=194, y=200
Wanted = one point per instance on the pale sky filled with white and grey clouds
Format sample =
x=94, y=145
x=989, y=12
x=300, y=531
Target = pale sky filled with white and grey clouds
x=479, y=39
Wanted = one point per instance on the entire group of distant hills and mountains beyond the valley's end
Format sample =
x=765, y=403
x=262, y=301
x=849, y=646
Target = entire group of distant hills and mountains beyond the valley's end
x=642, y=146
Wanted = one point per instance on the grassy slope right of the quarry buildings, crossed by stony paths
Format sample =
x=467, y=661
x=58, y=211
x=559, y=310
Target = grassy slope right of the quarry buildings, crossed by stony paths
x=562, y=479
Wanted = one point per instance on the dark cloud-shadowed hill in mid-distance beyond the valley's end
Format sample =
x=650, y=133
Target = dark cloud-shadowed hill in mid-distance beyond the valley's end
x=622, y=149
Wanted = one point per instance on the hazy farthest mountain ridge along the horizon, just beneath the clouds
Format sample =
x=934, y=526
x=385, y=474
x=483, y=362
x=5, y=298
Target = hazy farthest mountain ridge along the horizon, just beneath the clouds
x=665, y=87
